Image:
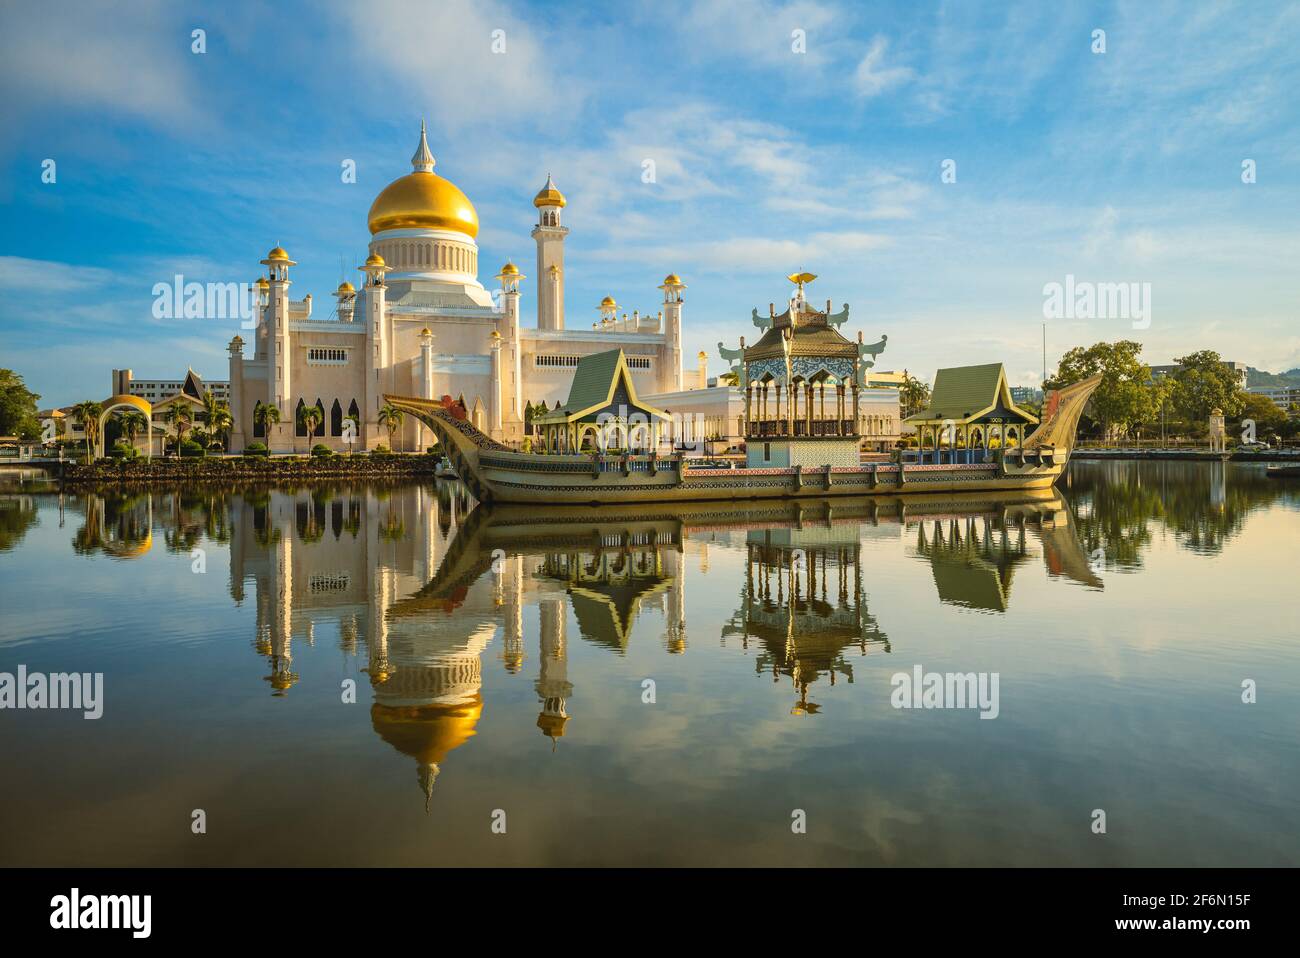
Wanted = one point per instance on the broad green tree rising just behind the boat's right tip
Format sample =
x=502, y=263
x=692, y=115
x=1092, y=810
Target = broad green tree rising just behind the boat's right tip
x=1126, y=397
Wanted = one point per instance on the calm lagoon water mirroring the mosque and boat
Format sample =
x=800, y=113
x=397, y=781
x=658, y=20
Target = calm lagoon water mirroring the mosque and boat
x=501, y=662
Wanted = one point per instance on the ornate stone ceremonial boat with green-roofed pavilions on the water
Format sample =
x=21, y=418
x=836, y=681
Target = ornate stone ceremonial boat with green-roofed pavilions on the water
x=604, y=445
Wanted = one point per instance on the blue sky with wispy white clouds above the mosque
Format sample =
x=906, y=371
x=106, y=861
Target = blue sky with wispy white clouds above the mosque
x=938, y=166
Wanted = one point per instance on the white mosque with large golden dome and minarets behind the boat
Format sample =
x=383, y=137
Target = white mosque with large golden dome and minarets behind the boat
x=424, y=326
